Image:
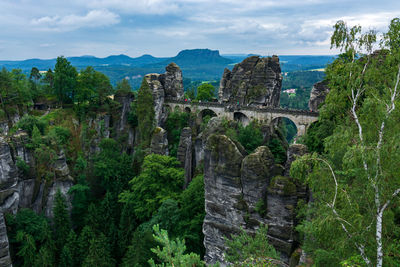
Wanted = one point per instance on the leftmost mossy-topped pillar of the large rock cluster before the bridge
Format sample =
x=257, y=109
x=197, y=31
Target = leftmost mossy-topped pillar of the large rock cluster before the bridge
x=223, y=193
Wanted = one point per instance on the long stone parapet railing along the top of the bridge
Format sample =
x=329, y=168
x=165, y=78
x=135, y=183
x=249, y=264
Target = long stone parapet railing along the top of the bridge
x=237, y=108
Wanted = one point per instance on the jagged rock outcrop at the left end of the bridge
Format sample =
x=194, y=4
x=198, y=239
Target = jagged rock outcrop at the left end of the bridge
x=169, y=84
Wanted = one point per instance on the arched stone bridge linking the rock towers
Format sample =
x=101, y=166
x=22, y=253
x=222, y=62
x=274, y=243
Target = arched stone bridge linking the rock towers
x=301, y=118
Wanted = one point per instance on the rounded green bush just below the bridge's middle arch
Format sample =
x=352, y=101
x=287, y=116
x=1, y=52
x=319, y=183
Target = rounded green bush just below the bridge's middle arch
x=250, y=136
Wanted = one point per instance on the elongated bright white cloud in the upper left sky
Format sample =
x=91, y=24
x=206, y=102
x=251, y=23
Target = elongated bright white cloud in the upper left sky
x=94, y=18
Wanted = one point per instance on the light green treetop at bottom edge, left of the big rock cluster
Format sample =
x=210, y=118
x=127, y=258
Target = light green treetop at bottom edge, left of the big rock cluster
x=172, y=253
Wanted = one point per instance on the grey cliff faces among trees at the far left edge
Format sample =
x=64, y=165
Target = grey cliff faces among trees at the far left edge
x=19, y=189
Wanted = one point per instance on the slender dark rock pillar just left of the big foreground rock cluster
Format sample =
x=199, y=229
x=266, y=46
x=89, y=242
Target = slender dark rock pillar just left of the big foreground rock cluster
x=185, y=152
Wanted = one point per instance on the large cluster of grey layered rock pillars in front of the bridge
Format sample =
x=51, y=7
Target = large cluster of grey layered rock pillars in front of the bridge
x=246, y=191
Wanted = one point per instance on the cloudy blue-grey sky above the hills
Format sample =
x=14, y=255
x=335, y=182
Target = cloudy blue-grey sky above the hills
x=49, y=28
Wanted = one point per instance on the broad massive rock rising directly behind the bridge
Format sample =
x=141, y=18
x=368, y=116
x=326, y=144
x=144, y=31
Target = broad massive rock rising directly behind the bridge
x=254, y=81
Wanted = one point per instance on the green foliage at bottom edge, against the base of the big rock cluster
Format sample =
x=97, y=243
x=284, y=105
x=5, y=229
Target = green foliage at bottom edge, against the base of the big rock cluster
x=244, y=248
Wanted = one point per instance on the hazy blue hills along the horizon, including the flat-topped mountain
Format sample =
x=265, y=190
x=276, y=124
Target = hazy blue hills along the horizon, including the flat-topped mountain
x=196, y=64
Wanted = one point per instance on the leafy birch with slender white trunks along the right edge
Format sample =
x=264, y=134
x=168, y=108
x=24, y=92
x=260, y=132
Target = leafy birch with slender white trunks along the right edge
x=356, y=182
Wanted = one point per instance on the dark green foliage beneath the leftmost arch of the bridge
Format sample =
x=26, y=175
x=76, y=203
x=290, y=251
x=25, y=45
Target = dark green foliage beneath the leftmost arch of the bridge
x=174, y=124
